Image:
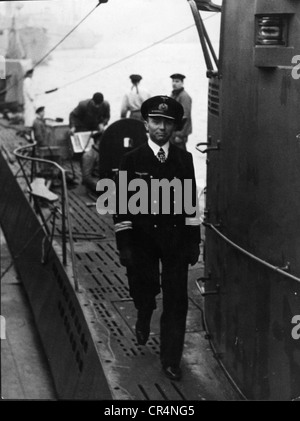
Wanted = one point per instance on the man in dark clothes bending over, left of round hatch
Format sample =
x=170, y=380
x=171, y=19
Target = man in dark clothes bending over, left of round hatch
x=90, y=115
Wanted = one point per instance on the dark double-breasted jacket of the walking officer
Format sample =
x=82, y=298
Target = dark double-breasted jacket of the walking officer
x=142, y=163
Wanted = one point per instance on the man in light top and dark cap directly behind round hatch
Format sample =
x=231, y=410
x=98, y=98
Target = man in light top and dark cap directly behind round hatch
x=132, y=101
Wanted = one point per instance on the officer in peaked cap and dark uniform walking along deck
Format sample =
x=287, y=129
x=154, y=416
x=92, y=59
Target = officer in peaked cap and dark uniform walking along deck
x=154, y=237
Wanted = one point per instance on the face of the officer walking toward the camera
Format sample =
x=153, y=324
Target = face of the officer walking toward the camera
x=160, y=129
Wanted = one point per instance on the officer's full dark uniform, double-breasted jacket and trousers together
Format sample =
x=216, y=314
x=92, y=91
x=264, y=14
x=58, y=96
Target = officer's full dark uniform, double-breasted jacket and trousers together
x=157, y=248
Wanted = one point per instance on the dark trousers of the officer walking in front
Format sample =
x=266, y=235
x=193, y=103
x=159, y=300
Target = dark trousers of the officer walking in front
x=159, y=263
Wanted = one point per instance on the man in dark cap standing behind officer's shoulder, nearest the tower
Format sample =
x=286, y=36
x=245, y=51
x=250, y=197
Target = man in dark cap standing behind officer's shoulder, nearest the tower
x=180, y=136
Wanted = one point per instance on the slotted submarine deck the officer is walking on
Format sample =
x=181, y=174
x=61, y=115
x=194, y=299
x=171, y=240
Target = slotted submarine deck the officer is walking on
x=133, y=372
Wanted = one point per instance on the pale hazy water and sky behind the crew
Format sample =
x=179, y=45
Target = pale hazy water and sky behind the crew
x=151, y=37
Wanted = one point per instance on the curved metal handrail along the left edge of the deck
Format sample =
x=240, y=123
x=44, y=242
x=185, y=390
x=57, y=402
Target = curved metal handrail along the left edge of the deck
x=65, y=204
